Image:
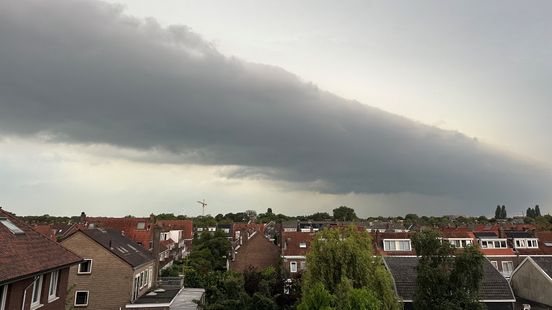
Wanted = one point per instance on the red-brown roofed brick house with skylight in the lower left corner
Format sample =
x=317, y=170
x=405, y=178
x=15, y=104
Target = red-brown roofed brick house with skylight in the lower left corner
x=34, y=270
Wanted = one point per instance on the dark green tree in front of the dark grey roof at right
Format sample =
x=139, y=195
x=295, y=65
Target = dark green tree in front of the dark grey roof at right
x=444, y=280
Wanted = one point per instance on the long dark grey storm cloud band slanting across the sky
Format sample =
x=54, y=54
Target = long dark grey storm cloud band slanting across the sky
x=81, y=72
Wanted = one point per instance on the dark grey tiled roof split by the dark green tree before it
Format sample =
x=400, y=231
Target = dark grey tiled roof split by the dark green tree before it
x=403, y=269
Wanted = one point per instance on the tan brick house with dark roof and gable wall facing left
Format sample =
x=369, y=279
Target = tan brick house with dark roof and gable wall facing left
x=116, y=270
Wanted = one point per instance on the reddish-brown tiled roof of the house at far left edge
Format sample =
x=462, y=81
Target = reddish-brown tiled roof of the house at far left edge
x=29, y=253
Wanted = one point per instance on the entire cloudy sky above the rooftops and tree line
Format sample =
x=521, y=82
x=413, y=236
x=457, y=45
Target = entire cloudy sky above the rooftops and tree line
x=389, y=107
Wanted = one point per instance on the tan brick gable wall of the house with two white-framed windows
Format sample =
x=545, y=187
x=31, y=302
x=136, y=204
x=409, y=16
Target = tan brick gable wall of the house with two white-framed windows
x=110, y=282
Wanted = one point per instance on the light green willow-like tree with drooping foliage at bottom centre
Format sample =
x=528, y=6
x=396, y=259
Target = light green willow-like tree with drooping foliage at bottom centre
x=341, y=265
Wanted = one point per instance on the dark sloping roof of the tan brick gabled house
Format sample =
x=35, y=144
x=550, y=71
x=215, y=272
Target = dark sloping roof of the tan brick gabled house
x=123, y=247
